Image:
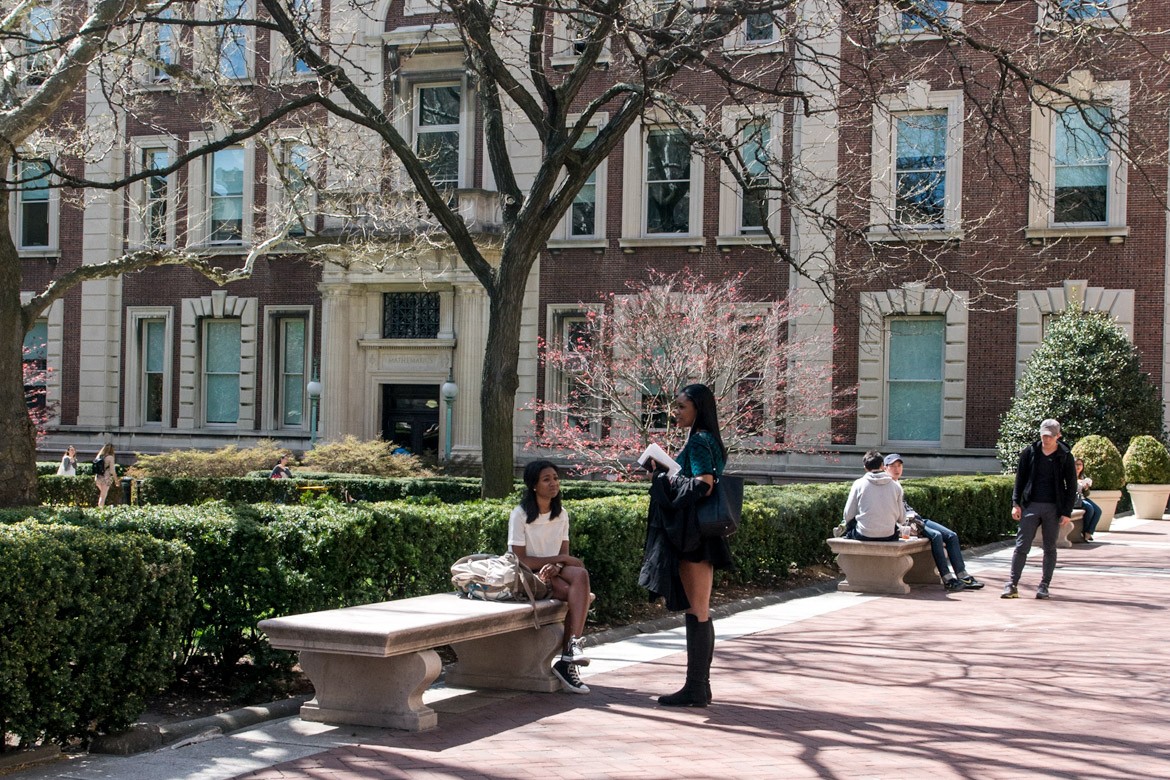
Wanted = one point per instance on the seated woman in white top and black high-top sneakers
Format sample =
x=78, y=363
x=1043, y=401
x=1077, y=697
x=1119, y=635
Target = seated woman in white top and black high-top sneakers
x=539, y=535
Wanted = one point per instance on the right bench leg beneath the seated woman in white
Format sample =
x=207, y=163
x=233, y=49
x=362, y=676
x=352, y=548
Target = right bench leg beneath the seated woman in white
x=520, y=661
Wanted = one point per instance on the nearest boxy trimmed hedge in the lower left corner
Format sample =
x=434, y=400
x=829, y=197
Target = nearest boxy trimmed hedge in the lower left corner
x=91, y=625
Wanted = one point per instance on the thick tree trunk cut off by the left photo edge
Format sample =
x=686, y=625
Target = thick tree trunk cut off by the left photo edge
x=18, y=445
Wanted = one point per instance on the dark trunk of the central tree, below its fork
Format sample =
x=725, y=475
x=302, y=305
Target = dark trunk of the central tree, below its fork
x=501, y=381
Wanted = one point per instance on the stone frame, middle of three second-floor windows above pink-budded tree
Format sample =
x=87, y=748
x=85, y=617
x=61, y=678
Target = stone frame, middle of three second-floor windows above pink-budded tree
x=636, y=191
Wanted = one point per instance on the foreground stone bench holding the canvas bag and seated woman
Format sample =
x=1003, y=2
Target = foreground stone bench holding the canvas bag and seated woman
x=371, y=665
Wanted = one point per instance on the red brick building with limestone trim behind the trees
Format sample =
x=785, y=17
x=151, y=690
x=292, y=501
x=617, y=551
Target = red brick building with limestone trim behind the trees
x=164, y=358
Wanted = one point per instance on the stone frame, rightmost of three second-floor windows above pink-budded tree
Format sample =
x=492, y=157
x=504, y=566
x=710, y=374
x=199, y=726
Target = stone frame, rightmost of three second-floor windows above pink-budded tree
x=731, y=223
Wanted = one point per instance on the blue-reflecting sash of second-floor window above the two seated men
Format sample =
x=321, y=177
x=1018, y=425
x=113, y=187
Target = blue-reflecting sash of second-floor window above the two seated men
x=920, y=169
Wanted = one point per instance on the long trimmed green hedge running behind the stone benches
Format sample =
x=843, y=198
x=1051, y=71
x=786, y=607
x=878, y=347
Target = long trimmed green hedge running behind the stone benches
x=256, y=562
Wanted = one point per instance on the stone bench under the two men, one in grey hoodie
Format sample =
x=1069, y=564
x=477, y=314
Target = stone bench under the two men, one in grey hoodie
x=884, y=567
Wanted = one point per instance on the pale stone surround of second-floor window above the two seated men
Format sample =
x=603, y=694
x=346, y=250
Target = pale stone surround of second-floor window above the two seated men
x=918, y=100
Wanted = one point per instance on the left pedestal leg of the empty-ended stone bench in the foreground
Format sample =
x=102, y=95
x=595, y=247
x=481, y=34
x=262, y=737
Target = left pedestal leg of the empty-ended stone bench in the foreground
x=371, y=692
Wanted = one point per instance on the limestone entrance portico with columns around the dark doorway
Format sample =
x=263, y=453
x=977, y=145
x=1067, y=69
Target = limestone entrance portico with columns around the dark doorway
x=374, y=376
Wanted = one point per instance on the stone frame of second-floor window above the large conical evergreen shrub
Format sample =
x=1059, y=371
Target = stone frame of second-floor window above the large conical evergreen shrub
x=1047, y=106
